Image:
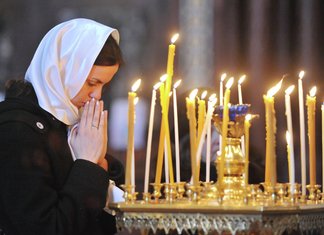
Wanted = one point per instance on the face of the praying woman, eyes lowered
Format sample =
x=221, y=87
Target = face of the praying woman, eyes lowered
x=92, y=88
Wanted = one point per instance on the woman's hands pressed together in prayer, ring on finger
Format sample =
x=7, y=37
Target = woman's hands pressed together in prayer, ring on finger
x=89, y=141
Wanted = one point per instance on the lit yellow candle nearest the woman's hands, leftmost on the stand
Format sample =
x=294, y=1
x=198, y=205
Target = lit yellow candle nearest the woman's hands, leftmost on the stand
x=131, y=123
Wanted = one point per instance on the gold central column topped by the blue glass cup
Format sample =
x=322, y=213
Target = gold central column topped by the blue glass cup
x=234, y=162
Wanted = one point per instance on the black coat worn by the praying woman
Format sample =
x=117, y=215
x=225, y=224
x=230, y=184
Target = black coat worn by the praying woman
x=42, y=190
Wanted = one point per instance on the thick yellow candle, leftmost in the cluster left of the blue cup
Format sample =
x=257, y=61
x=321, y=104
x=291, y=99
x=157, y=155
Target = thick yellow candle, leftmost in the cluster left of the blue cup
x=191, y=115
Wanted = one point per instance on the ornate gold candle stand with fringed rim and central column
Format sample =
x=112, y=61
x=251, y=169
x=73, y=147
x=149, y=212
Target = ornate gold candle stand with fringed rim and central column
x=231, y=207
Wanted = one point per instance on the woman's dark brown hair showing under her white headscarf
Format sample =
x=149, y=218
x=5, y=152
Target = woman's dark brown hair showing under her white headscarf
x=110, y=54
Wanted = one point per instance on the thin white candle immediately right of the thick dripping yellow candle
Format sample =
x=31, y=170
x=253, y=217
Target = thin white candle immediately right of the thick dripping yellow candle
x=291, y=155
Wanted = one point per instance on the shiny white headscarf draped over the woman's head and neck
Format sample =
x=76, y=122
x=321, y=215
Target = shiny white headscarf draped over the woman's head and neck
x=62, y=63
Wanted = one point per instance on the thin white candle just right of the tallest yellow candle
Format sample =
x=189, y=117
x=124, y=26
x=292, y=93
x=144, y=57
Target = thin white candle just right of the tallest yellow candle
x=176, y=130
